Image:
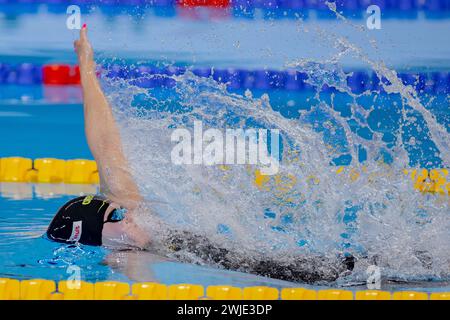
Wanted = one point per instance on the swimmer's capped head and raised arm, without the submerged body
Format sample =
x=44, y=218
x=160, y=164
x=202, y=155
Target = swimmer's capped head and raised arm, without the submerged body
x=111, y=217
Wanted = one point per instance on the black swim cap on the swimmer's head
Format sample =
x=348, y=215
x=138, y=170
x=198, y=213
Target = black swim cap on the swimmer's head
x=80, y=220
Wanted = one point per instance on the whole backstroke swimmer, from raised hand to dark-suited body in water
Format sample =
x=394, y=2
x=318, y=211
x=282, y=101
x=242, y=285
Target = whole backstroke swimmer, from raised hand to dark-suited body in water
x=110, y=218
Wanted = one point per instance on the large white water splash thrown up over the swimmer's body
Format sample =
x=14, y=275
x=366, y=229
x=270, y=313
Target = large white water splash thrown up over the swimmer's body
x=368, y=210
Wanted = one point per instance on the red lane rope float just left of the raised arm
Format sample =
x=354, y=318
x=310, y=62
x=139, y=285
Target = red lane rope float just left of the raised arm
x=60, y=74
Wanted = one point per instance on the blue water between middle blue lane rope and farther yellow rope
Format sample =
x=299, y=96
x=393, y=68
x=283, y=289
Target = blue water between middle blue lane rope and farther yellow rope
x=62, y=133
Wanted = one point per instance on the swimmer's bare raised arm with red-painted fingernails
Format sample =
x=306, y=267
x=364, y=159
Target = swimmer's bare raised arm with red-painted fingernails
x=102, y=133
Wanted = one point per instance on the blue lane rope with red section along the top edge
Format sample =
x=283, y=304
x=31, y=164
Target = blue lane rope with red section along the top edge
x=245, y=9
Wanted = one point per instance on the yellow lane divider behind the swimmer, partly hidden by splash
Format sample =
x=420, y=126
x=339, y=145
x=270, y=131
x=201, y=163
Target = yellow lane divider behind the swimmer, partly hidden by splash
x=82, y=171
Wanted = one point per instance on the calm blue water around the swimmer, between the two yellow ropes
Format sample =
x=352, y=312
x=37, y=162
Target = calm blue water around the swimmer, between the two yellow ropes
x=26, y=254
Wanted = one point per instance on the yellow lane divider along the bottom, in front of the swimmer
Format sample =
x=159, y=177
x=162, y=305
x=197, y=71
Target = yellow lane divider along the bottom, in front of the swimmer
x=39, y=289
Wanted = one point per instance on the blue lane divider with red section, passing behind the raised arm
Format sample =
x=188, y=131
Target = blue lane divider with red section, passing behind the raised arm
x=147, y=76
